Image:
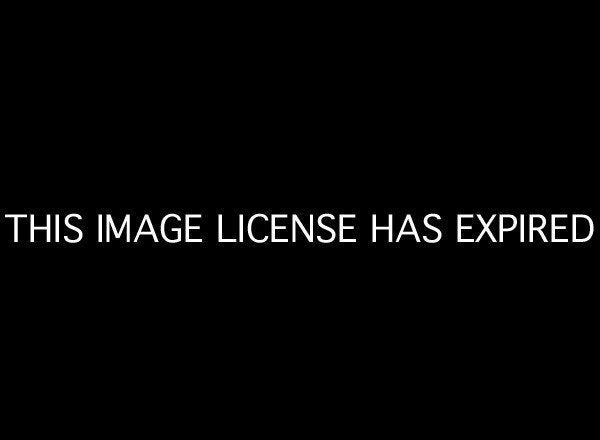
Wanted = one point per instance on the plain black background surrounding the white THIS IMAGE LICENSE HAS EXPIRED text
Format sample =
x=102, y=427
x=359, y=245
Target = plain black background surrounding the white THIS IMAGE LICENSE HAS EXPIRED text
x=368, y=113
